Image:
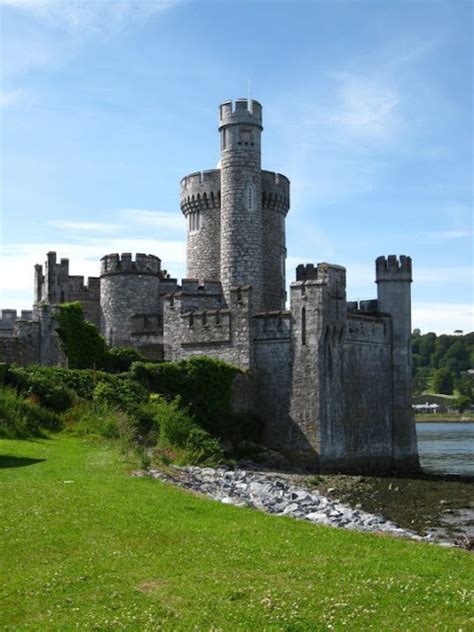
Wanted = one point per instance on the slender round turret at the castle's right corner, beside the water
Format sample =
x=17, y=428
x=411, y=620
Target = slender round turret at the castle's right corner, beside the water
x=393, y=278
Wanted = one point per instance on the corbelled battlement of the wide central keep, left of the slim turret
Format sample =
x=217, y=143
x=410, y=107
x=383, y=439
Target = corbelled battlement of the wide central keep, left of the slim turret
x=201, y=190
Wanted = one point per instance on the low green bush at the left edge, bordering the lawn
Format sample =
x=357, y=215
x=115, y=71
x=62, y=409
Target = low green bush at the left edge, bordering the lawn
x=21, y=417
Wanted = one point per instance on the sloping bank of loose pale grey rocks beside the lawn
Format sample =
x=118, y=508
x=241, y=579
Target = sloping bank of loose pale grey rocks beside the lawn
x=274, y=495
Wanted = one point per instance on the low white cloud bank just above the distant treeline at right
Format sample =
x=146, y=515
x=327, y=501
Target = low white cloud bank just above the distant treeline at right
x=442, y=318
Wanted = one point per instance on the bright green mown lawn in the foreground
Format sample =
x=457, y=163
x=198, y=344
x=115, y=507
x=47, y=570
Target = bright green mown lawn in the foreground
x=85, y=546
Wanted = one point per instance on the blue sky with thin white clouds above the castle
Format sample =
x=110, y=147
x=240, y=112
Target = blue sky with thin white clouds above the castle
x=106, y=104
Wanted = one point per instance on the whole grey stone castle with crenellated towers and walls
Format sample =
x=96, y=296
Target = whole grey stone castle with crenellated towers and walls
x=332, y=378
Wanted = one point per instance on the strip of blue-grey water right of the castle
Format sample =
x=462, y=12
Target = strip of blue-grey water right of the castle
x=446, y=448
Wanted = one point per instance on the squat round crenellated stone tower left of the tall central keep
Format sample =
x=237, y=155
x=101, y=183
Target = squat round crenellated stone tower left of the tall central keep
x=128, y=289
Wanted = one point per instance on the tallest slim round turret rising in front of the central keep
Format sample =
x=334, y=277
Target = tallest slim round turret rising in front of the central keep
x=241, y=256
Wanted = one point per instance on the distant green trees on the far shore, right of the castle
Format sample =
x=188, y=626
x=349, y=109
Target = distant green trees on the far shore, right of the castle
x=441, y=365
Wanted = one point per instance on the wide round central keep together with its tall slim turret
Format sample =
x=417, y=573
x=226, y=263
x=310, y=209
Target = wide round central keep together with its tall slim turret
x=236, y=214
